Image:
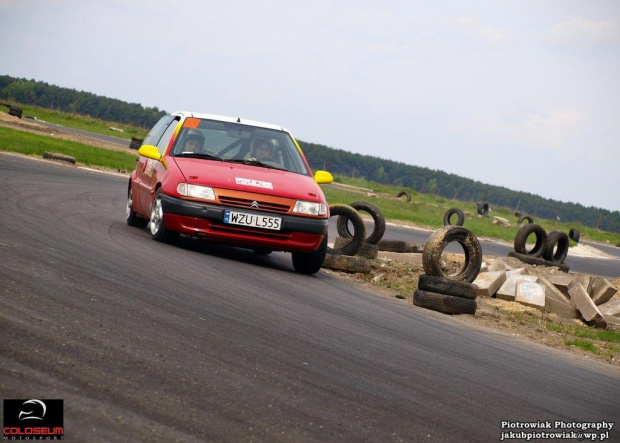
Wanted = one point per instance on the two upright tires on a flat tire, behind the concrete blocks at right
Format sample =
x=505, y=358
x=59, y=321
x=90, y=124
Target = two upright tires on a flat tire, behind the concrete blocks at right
x=549, y=250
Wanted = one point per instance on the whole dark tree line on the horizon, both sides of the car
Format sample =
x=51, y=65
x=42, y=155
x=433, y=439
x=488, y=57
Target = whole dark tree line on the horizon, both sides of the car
x=337, y=161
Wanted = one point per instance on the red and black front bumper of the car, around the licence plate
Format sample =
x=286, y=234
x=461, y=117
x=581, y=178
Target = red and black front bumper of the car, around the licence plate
x=206, y=221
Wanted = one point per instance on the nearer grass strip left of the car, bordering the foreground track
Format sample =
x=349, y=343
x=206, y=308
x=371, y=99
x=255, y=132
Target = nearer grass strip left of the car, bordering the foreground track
x=26, y=143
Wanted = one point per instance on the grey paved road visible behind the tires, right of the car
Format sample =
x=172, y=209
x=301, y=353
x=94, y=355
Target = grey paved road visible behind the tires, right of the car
x=602, y=267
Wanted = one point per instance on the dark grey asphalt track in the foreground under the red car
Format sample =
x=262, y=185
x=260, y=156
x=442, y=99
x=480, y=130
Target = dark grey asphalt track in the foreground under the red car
x=147, y=341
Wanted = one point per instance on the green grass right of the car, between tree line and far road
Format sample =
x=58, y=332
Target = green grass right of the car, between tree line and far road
x=427, y=210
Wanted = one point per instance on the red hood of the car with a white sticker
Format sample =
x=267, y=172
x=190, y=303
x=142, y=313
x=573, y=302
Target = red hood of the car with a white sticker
x=248, y=178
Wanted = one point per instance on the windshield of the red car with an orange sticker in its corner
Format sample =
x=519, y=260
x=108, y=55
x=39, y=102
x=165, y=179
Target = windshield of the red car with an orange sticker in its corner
x=239, y=143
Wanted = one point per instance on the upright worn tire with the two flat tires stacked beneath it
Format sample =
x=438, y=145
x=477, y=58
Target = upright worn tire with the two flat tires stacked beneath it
x=453, y=294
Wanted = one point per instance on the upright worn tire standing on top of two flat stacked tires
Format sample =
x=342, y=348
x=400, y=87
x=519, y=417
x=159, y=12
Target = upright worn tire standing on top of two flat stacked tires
x=437, y=242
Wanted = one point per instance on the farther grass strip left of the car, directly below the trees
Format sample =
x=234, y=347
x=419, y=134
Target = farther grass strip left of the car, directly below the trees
x=82, y=122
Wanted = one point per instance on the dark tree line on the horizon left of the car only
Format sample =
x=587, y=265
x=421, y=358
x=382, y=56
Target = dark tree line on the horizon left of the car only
x=31, y=92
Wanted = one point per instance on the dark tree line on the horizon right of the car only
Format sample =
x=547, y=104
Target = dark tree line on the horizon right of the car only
x=451, y=186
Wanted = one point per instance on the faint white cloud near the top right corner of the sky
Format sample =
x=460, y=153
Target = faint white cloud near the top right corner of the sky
x=585, y=34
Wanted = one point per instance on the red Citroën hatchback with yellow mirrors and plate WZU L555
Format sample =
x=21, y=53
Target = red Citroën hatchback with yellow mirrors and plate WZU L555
x=230, y=181
